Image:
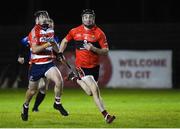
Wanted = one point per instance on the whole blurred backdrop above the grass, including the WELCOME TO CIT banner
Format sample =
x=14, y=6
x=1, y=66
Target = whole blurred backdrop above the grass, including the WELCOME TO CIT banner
x=137, y=31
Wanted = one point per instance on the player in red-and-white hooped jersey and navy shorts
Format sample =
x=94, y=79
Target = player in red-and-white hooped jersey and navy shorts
x=42, y=58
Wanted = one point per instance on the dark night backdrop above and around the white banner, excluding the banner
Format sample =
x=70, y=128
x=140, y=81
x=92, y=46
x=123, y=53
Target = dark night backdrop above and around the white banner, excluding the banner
x=128, y=24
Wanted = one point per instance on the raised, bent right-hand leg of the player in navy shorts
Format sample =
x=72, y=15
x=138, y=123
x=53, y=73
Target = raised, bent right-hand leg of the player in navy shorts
x=54, y=74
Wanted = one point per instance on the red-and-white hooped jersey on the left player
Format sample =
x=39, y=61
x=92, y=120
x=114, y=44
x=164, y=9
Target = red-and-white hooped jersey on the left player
x=39, y=36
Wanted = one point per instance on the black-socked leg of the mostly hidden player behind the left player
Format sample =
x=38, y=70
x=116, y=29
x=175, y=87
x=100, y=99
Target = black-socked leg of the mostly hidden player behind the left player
x=41, y=94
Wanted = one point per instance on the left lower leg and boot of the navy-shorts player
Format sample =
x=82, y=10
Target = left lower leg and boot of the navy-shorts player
x=32, y=88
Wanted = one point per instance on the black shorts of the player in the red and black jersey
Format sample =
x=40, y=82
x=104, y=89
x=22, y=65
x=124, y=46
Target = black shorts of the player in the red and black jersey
x=92, y=71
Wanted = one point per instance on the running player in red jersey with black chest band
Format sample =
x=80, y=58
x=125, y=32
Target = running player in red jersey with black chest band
x=90, y=42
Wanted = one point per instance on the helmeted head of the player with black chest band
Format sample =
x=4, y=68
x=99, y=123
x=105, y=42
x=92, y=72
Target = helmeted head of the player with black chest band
x=88, y=18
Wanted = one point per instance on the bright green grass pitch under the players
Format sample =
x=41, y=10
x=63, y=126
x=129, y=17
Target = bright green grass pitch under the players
x=133, y=109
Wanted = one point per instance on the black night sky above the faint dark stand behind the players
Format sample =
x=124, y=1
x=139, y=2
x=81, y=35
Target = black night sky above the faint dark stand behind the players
x=108, y=12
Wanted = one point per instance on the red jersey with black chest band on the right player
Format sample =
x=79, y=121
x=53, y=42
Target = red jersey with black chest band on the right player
x=95, y=36
